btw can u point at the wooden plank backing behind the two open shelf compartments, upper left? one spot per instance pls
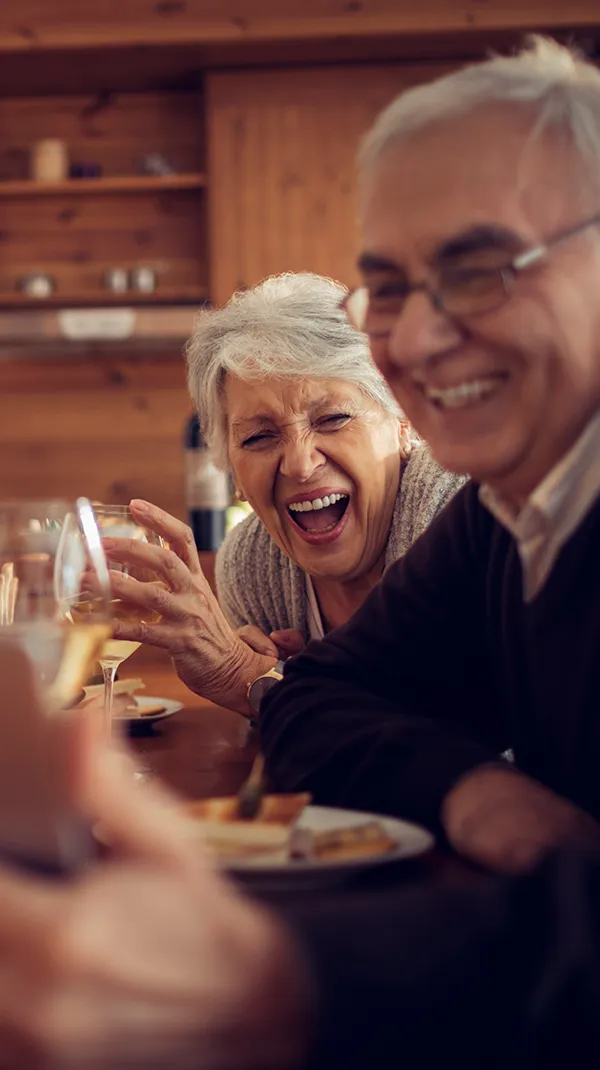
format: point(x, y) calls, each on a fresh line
point(78, 238)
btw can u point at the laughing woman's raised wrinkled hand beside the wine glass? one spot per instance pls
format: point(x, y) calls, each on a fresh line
point(189, 621)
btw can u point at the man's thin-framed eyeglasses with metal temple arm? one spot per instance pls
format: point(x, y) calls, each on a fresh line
point(461, 292)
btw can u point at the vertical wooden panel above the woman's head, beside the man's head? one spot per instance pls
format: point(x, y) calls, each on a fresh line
point(282, 167)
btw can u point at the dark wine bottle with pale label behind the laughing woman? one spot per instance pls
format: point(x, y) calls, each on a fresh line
point(207, 490)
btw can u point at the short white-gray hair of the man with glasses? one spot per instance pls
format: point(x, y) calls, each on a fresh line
point(562, 89)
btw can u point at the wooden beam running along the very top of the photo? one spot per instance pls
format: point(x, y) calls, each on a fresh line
point(72, 24)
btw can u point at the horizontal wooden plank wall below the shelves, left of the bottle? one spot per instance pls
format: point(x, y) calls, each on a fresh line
point(111, 430)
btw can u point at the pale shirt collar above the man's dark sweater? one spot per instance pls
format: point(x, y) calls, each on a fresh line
point(555, 510)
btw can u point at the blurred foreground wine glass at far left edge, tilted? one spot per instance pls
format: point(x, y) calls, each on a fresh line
point(55, 593)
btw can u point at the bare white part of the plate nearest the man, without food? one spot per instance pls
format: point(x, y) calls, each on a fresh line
point(411, 840)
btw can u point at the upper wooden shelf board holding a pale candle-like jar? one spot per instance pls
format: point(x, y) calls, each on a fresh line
point(115, 185)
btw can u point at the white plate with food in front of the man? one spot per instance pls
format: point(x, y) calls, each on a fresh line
point(294, 845)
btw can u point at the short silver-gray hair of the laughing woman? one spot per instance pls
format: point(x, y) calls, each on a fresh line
point(288, 327)
